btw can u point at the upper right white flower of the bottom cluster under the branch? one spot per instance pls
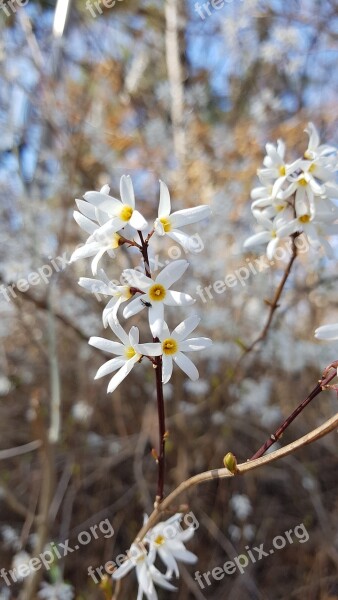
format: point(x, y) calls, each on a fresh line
point(167, 540)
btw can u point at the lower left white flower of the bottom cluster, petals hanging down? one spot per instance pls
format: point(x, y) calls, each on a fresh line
point(147, 574)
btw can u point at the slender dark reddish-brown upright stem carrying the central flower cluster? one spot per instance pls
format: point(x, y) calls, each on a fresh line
point(159, 391)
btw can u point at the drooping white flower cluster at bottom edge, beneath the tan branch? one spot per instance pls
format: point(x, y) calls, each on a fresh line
point(166, 542)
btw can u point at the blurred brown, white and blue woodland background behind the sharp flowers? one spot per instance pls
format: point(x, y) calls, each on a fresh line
point(78, 112)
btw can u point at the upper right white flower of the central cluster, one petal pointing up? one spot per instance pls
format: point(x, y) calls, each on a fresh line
point(170, 224)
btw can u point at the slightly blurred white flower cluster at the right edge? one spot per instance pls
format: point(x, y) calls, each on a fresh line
point(296, 197)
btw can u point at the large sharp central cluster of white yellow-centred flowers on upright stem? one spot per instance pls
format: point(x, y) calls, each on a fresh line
point(111, 223)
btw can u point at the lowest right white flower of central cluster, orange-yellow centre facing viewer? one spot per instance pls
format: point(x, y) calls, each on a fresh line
point(176, 343)
